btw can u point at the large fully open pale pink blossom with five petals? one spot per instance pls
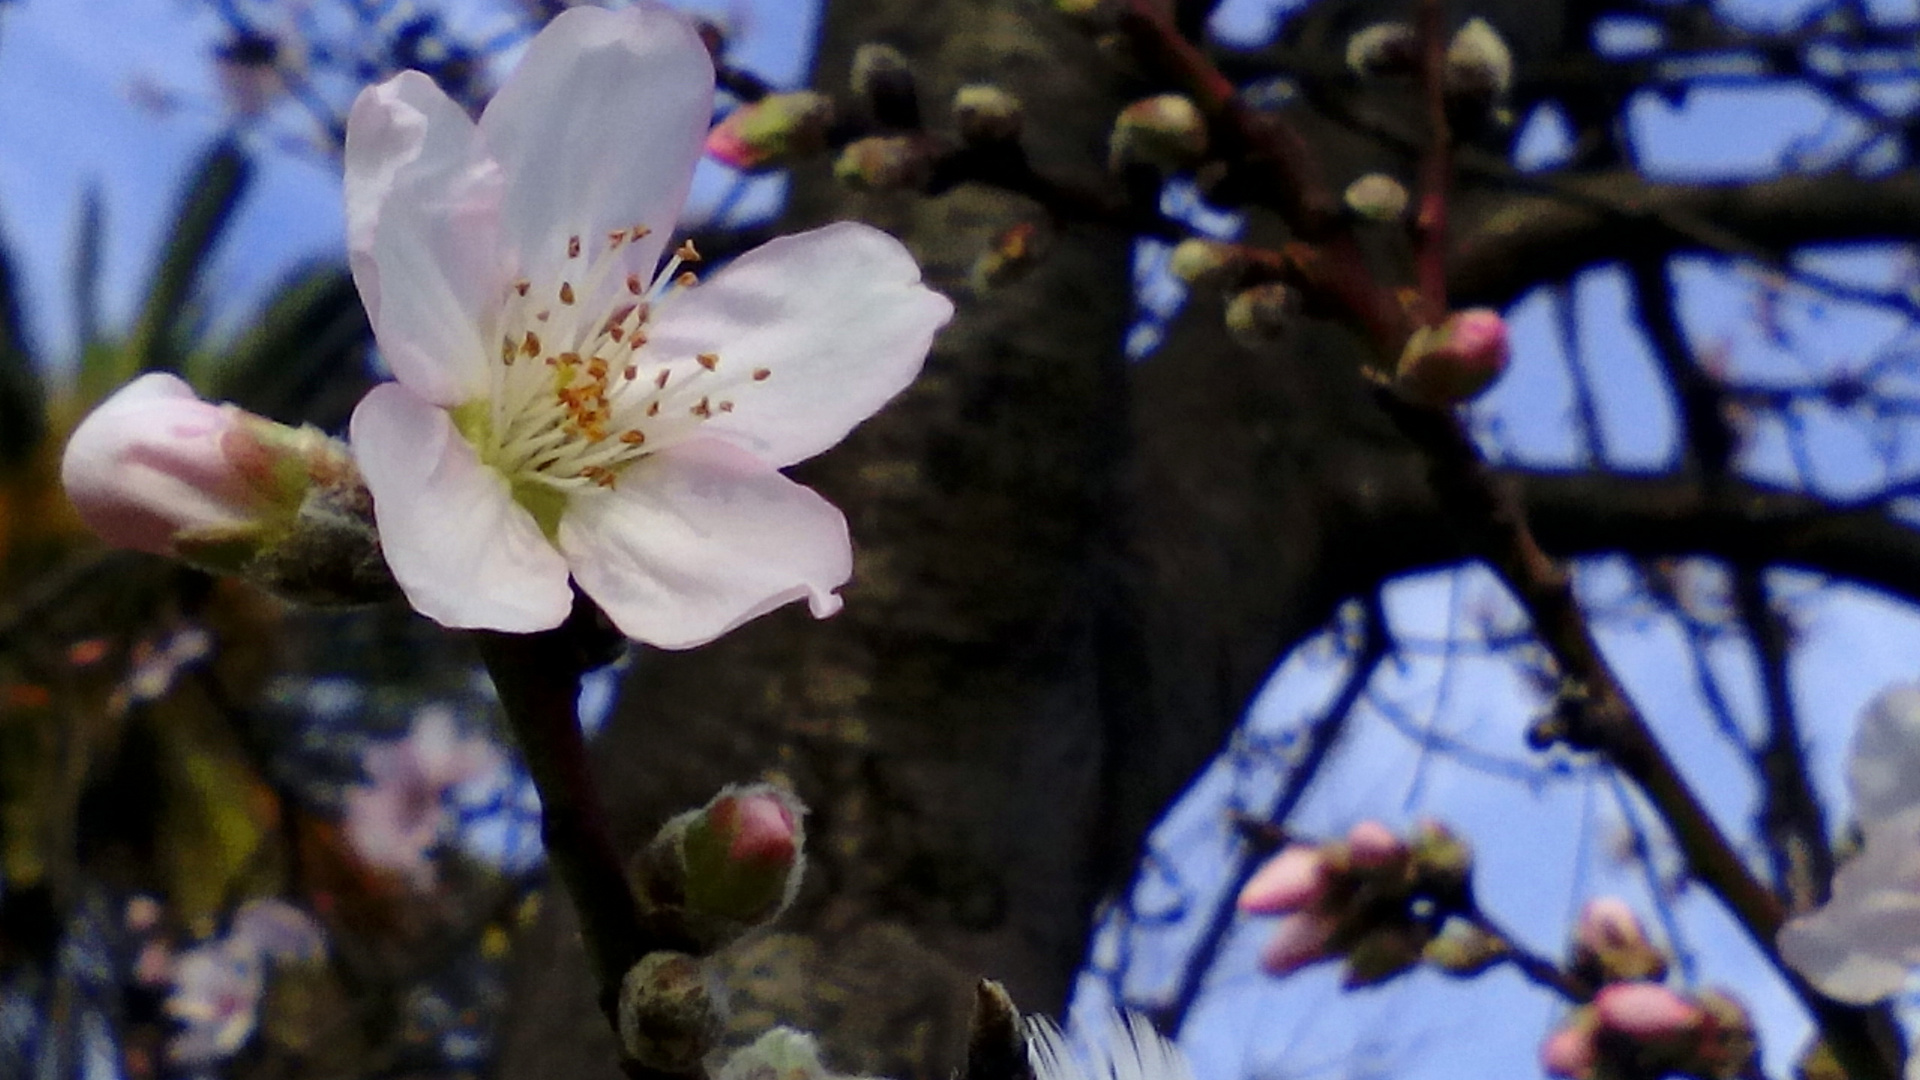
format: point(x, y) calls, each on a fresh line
point(562, 410)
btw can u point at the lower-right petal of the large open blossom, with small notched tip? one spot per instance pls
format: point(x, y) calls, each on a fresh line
point(700, 539)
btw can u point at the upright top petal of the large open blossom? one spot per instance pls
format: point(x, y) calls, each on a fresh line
point(598, 130)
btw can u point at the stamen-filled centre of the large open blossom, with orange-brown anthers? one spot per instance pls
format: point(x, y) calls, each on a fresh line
point(575, 393)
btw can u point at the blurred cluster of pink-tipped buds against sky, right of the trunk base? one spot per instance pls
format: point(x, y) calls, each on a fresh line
point(1372, 898)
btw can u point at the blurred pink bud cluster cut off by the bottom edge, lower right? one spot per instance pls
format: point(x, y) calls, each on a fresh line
point(1643, 1031)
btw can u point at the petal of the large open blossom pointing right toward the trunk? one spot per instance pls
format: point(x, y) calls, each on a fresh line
point(815, 333)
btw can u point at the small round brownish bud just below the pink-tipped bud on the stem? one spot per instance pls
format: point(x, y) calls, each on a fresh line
point(673, 1012)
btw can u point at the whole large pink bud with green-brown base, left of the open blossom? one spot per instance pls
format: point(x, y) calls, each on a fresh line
point(158, 470)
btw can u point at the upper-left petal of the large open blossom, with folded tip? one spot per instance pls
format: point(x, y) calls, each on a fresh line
point(423, 220)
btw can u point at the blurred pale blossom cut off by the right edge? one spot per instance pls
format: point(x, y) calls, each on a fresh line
point(1863, 945)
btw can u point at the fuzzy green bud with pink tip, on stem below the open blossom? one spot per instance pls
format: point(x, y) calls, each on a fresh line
point(713, 875)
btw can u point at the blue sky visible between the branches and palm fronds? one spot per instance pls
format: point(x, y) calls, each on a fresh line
point(120, 97)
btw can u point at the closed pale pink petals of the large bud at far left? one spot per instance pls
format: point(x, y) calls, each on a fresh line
point(153, 464)
